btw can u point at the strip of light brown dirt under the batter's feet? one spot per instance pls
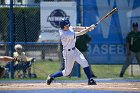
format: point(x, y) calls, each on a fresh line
point(117, 86)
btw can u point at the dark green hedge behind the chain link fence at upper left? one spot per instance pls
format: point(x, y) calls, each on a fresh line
point(26, 22)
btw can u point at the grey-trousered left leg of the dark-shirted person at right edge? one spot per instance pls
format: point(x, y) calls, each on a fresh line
point(127, 63)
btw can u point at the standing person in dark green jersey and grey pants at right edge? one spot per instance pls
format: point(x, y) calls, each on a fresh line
point(133, 47)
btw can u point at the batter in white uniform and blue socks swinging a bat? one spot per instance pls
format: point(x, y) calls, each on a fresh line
point(71, 53)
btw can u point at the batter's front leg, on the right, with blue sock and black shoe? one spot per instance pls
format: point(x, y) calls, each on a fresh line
point(83, 62)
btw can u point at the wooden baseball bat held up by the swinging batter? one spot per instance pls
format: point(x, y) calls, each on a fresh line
point(103, 18)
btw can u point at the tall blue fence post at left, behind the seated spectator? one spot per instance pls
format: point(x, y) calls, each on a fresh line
point(11, 40)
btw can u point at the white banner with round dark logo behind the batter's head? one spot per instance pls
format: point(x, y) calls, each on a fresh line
point(51, 13)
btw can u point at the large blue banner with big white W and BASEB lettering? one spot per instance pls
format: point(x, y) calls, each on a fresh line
point(109, 37)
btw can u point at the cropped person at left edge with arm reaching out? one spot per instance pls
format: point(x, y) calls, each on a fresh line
point(4, 59)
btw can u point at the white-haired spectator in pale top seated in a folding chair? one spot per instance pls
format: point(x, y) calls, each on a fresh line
point(22, 61)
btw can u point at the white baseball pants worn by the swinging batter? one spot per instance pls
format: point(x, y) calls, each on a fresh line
point(70, 57)
